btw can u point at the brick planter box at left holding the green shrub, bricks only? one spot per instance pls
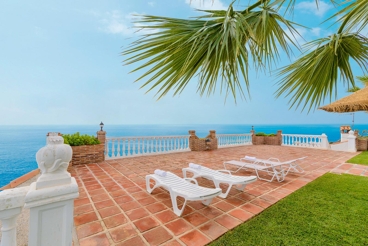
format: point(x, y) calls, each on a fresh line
point(87, 154)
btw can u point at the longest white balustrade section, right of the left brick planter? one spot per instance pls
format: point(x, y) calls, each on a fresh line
point(120, 147)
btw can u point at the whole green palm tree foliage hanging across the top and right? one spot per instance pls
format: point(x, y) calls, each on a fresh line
point(221, 46)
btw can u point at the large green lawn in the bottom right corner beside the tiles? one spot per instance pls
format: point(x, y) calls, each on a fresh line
point(331, 210)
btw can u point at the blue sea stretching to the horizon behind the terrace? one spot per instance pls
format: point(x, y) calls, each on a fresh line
point(19, 144)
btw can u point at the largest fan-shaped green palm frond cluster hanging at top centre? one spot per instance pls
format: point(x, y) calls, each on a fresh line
point(216, 46)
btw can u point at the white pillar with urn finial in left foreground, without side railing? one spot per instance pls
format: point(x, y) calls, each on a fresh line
point(51, 198)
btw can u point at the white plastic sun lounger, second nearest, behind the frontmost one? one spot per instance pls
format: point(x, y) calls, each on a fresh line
point(218, 177)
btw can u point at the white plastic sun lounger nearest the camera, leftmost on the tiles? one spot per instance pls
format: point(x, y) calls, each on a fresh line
point(182, 188)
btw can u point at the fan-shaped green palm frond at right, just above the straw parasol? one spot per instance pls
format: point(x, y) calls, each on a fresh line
point(314, 76)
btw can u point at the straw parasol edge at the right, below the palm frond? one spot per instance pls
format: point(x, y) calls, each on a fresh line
point(358, 101)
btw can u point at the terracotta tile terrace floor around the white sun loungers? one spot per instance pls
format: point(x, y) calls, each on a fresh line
point(115, 209)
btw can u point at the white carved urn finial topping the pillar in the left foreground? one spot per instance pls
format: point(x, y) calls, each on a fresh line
point(53, 161)
